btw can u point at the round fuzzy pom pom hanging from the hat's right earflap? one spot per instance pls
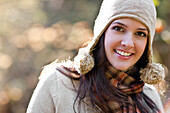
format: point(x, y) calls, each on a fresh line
point(153, 74)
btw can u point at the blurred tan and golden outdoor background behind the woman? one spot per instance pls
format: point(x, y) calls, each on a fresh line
point(34, 33)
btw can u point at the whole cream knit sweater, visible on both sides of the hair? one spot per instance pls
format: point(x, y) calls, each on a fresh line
point(55, 94)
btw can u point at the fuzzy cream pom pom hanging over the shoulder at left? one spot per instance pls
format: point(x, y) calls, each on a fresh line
point(83, 62)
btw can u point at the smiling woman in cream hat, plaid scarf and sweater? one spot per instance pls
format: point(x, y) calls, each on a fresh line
point(111, 74)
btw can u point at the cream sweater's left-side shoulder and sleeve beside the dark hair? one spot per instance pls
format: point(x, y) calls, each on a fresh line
point(53, 87)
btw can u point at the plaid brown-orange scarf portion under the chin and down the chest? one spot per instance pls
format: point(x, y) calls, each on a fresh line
point(125, 83)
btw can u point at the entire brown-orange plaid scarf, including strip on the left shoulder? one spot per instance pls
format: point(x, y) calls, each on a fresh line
point(123, 82)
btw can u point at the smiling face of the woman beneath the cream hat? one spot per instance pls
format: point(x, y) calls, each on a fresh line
point(125, 42)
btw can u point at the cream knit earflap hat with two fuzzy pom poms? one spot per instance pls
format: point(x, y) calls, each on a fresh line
point(141, 10)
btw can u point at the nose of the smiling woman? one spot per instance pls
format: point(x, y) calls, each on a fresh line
point(127, 41)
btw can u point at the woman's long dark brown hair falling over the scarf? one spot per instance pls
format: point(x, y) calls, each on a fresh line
point(96, 86)
